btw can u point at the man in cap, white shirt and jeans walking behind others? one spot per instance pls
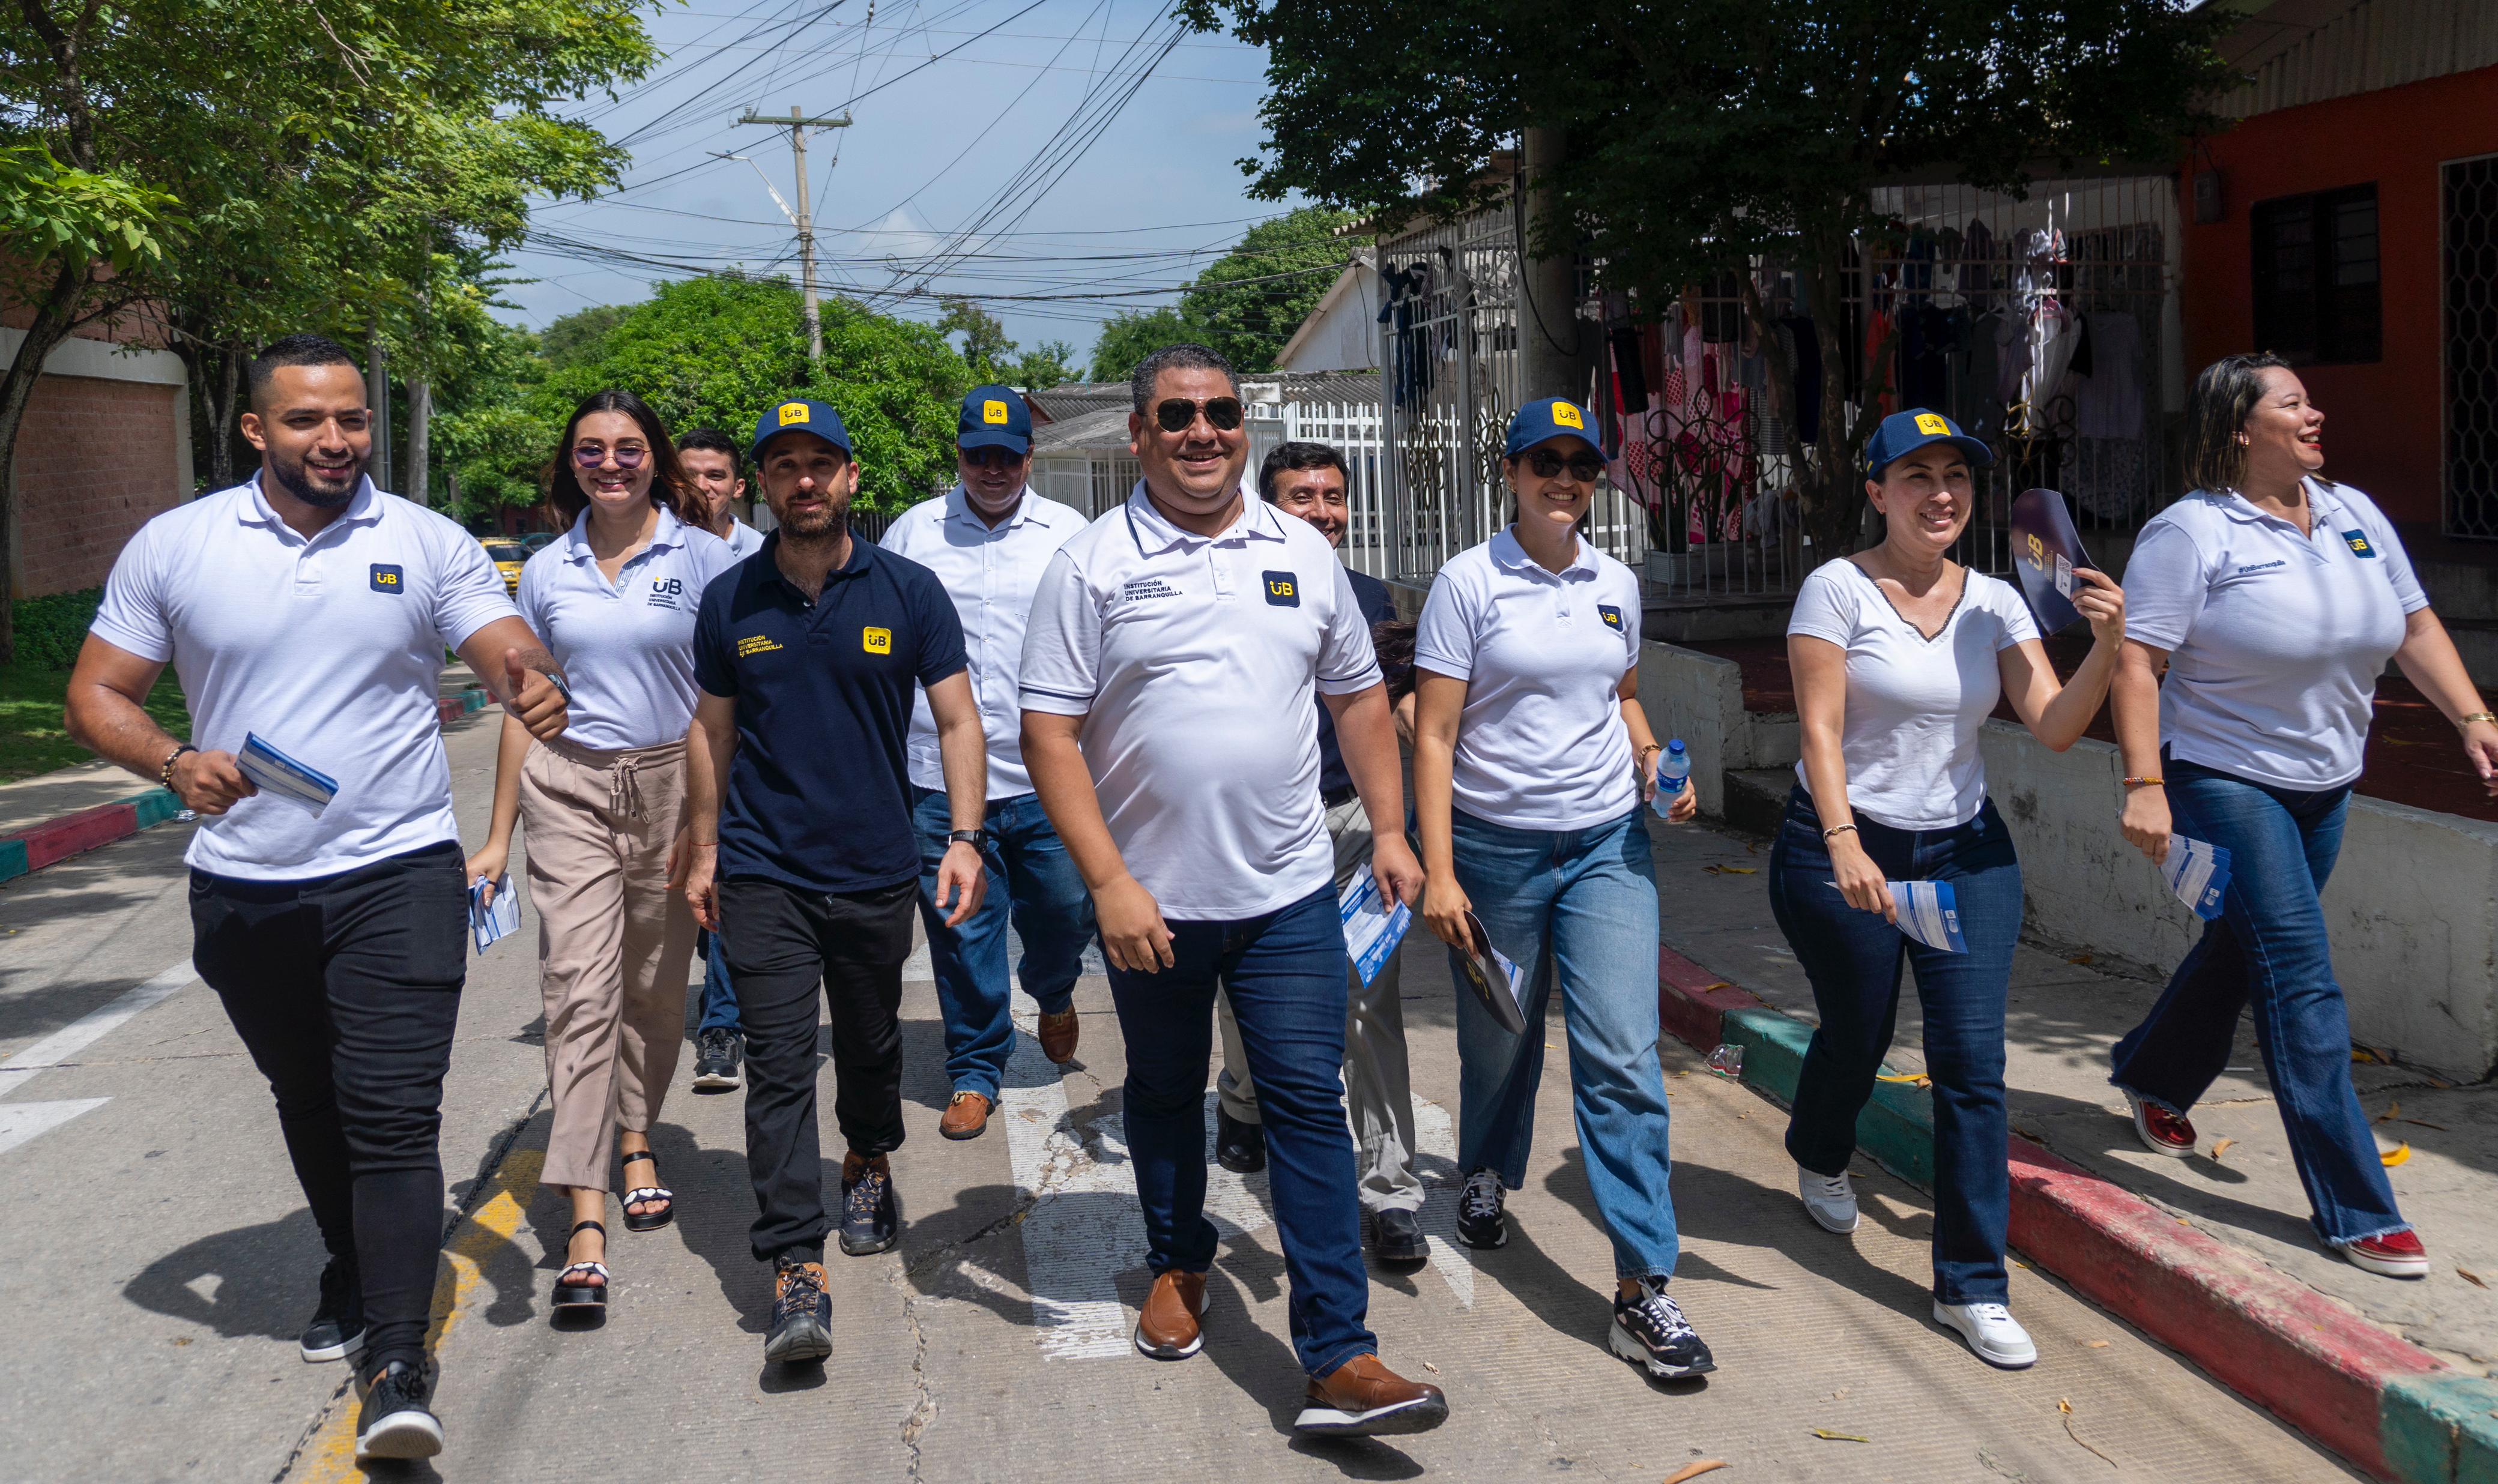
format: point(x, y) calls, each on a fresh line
point(988, 541)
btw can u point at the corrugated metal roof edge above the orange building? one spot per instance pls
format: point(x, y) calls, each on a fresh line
point(2309, 51)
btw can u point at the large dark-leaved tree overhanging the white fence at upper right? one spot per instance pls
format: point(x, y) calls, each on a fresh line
point(1700, 136)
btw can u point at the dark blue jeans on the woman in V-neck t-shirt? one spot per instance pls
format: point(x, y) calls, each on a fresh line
point(1852, 961)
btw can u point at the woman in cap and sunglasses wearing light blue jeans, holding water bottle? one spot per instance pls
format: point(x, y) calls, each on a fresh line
point(1533, 773)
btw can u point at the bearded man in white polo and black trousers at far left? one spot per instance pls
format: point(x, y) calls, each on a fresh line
point(309, 611)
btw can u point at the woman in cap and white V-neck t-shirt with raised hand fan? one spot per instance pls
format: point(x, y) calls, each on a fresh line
point(1900, 656)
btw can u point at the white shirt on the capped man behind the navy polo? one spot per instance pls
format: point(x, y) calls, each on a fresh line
point(990, 573)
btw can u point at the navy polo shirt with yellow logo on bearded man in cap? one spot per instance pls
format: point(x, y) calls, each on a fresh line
point(818, 791)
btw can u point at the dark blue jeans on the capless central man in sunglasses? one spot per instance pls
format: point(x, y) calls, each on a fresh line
point(1285, 978)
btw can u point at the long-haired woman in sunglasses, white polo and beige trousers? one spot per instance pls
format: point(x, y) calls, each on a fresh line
point(616, 601)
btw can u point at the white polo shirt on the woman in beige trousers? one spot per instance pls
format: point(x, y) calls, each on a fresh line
point(628, 648)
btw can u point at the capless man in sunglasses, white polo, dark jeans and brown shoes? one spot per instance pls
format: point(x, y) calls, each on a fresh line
point(1168, 691)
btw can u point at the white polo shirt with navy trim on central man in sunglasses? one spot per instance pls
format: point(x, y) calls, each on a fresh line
point(1195, 663)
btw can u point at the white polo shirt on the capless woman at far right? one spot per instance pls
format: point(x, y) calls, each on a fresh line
point(2274, 638)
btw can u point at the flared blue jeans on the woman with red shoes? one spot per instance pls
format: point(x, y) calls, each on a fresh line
point(2269, 948)
